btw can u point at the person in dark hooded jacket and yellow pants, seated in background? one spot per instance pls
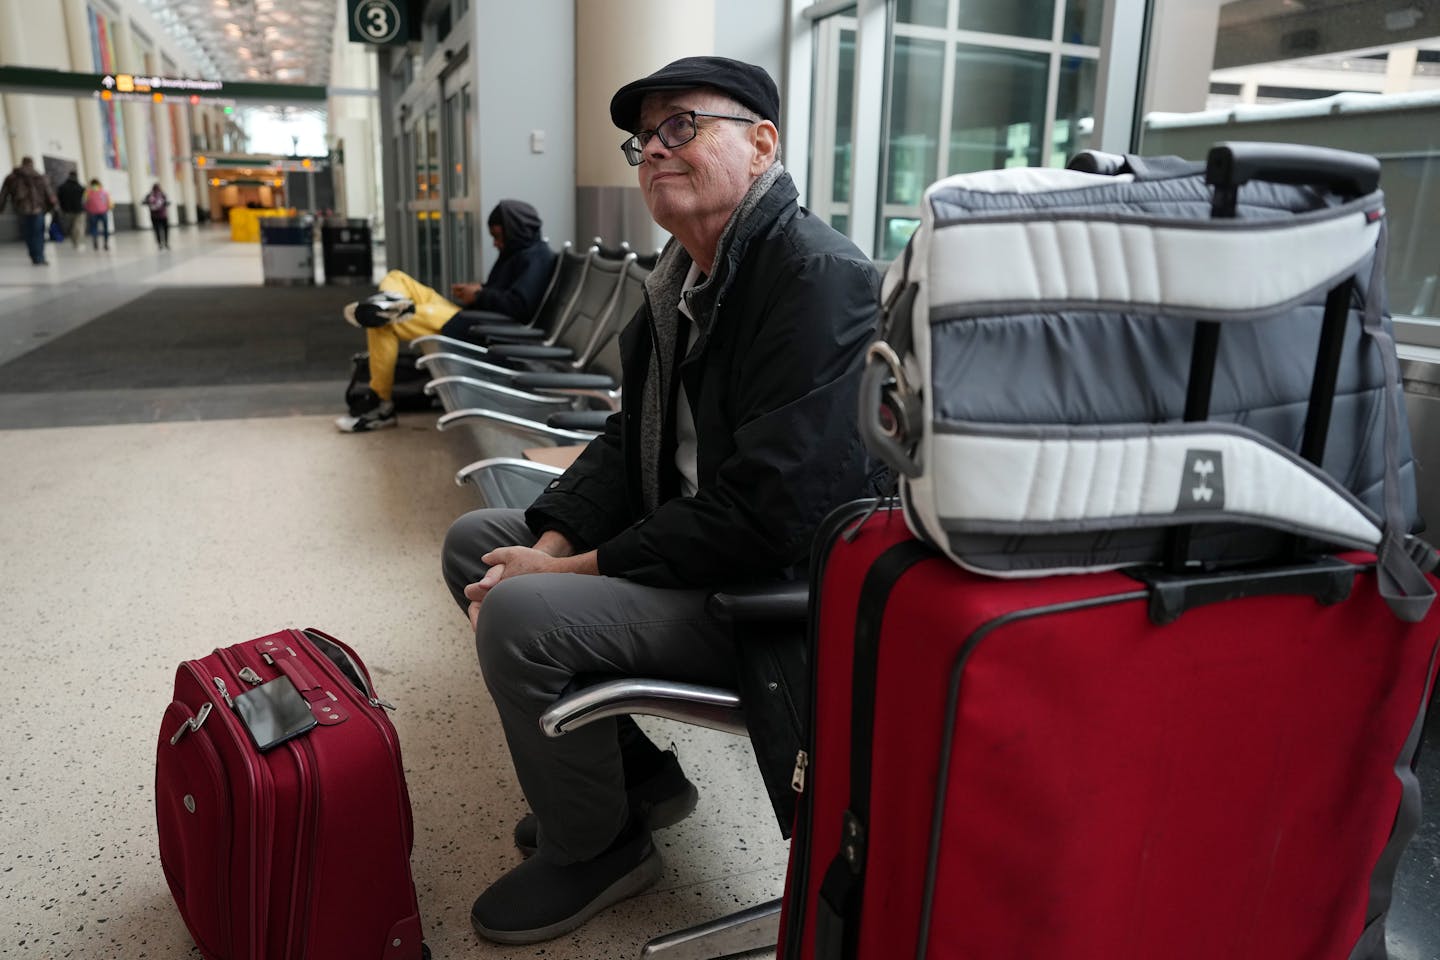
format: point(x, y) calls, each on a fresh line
point(405, 309)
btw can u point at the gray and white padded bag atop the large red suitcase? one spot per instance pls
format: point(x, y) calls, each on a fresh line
point(1146, 362)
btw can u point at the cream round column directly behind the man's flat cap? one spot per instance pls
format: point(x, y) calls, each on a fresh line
point(624, 41)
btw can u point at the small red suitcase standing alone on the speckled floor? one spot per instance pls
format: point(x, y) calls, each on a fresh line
point(302, 851)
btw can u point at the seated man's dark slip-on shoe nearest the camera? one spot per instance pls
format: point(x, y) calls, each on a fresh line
point(539, 900)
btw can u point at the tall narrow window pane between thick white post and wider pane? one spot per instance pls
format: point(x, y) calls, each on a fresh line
point(912, 148)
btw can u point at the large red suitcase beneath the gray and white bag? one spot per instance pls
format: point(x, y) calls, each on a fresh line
point(1010, 769)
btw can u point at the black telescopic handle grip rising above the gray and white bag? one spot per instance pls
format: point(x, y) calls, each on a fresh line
point(1235, 163)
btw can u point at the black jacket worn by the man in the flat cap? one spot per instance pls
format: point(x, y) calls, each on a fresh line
point(773, 384)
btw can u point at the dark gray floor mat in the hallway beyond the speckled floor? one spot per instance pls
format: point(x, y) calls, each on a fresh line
point(199, 336)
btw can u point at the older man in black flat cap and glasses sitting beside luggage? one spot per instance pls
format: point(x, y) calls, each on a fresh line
point(741, 379)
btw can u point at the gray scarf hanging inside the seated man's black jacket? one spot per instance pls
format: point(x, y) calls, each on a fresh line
point(665, 286)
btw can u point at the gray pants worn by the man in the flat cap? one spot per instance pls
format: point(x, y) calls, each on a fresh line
point(536, 634)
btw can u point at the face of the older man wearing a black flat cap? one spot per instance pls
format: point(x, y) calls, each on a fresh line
point(705, 178)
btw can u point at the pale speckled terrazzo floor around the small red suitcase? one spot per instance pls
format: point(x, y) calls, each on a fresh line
point(130, 548)
